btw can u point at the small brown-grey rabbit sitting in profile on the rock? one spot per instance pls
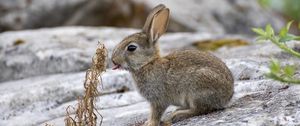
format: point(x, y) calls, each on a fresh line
point(197, 82)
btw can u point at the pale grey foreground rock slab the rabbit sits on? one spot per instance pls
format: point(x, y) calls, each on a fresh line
point(257, 100)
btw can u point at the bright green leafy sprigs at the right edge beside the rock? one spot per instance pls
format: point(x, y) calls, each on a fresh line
point(277, 72)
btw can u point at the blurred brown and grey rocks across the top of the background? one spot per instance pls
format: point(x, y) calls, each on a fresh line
point(234, 16)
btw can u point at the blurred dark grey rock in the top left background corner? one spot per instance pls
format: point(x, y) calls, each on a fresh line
point(24, 14)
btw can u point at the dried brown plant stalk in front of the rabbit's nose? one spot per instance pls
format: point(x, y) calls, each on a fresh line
point(86, 114)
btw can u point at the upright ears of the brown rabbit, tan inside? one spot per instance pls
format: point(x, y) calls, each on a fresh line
point(157, 23)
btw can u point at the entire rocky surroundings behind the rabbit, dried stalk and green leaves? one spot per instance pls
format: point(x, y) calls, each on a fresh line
point(47, 45)
